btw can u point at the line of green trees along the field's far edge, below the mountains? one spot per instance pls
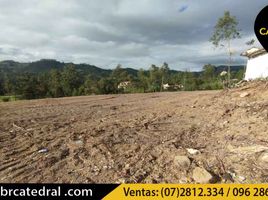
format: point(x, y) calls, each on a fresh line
point(71, 82)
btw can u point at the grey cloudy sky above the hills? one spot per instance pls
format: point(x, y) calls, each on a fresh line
point(134, 33)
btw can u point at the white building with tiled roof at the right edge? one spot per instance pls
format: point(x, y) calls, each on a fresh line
point(257, 66)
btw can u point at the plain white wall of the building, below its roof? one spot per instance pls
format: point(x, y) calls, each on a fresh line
point(257, 67)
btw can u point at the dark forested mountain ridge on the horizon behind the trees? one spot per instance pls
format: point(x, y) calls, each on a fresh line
point(45, 65)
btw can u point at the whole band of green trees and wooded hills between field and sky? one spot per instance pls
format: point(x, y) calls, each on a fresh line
point(35, 80)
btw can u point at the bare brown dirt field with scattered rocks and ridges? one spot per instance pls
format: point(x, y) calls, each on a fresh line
point(180, 137)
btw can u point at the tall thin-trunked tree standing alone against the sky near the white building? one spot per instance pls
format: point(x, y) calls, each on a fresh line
point(225, 31)
